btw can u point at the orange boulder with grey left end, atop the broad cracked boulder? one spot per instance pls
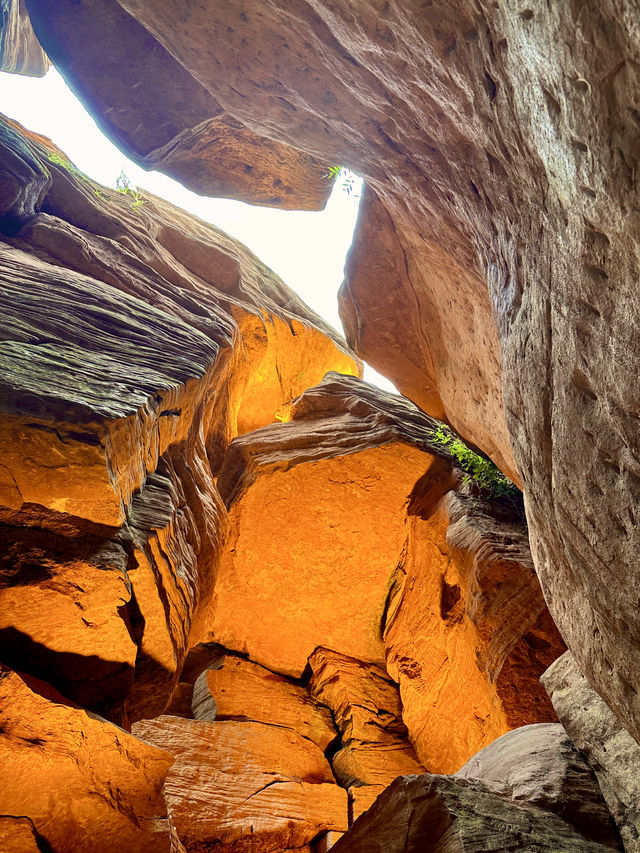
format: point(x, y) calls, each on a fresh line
point(242, 690)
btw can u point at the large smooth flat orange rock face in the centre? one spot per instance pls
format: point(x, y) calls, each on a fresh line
point(308, 545)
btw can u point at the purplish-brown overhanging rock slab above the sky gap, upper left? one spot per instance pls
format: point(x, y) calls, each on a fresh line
point(163, 117)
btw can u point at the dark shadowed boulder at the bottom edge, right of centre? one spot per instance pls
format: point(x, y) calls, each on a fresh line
point(450, 815)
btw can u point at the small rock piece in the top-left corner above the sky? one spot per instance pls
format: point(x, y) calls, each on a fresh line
point(20, 51)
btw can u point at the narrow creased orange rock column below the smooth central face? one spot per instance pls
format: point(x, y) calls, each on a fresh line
point(366, 706)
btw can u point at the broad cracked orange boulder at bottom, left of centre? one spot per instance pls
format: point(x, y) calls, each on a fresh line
point(245, 786)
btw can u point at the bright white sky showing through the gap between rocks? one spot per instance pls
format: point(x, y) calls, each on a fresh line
point(307, 250)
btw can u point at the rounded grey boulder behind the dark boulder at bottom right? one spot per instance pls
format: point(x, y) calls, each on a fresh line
point(539, 765)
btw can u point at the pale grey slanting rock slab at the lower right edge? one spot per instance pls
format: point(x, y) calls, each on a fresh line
point(610, 750)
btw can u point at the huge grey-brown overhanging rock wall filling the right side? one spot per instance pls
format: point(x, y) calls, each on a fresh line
point(499, 143)
